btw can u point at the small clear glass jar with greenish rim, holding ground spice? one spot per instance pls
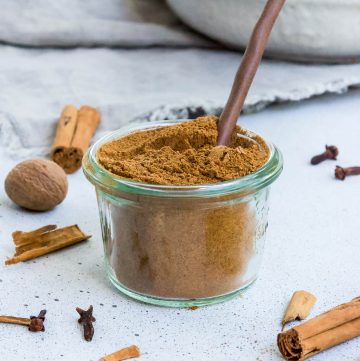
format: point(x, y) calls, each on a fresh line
point(181, 246)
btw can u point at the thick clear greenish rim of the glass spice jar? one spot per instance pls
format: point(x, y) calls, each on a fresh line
point(111, 183)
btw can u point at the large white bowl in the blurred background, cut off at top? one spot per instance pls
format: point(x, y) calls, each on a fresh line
point(307, 30)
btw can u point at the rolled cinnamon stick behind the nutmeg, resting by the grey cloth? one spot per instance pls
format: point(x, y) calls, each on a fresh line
point(74, 132)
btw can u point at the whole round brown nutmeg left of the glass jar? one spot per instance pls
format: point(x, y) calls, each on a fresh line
point(37, 184)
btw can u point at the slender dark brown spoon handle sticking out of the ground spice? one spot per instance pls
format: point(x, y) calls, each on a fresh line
point(248, 67)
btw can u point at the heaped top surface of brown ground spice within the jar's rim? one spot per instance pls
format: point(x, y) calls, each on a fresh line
point(184, 154)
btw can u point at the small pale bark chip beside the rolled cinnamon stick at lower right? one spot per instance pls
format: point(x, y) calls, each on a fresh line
point(299, 307)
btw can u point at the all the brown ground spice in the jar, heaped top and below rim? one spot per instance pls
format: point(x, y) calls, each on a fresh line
point(184, 248)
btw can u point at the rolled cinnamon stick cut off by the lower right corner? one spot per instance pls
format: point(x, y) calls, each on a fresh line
point(331, 328)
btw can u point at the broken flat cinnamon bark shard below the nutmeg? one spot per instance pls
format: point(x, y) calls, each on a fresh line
point(44, 240)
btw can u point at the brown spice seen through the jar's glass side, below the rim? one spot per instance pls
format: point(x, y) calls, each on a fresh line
point(184, 248)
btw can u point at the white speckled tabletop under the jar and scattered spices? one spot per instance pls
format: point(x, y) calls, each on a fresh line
point(312, 243)
